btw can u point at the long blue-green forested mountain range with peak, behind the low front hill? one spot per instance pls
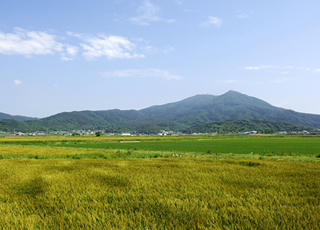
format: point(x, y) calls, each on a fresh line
point(177, 116)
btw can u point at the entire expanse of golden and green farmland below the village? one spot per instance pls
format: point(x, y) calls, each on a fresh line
point(115, 183)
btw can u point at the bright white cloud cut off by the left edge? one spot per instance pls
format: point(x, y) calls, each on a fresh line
point(28, 43)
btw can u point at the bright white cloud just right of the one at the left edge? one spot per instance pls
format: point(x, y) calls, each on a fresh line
point(109, 46)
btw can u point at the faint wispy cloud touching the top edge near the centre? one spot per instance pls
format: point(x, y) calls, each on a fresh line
point(148, 12)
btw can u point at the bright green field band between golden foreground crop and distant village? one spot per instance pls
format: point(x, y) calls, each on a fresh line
point(237, 145)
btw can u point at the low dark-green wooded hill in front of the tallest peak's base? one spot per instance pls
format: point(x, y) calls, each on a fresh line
point(246, 125)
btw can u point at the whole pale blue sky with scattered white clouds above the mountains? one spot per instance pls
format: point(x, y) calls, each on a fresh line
point(58, 55)
